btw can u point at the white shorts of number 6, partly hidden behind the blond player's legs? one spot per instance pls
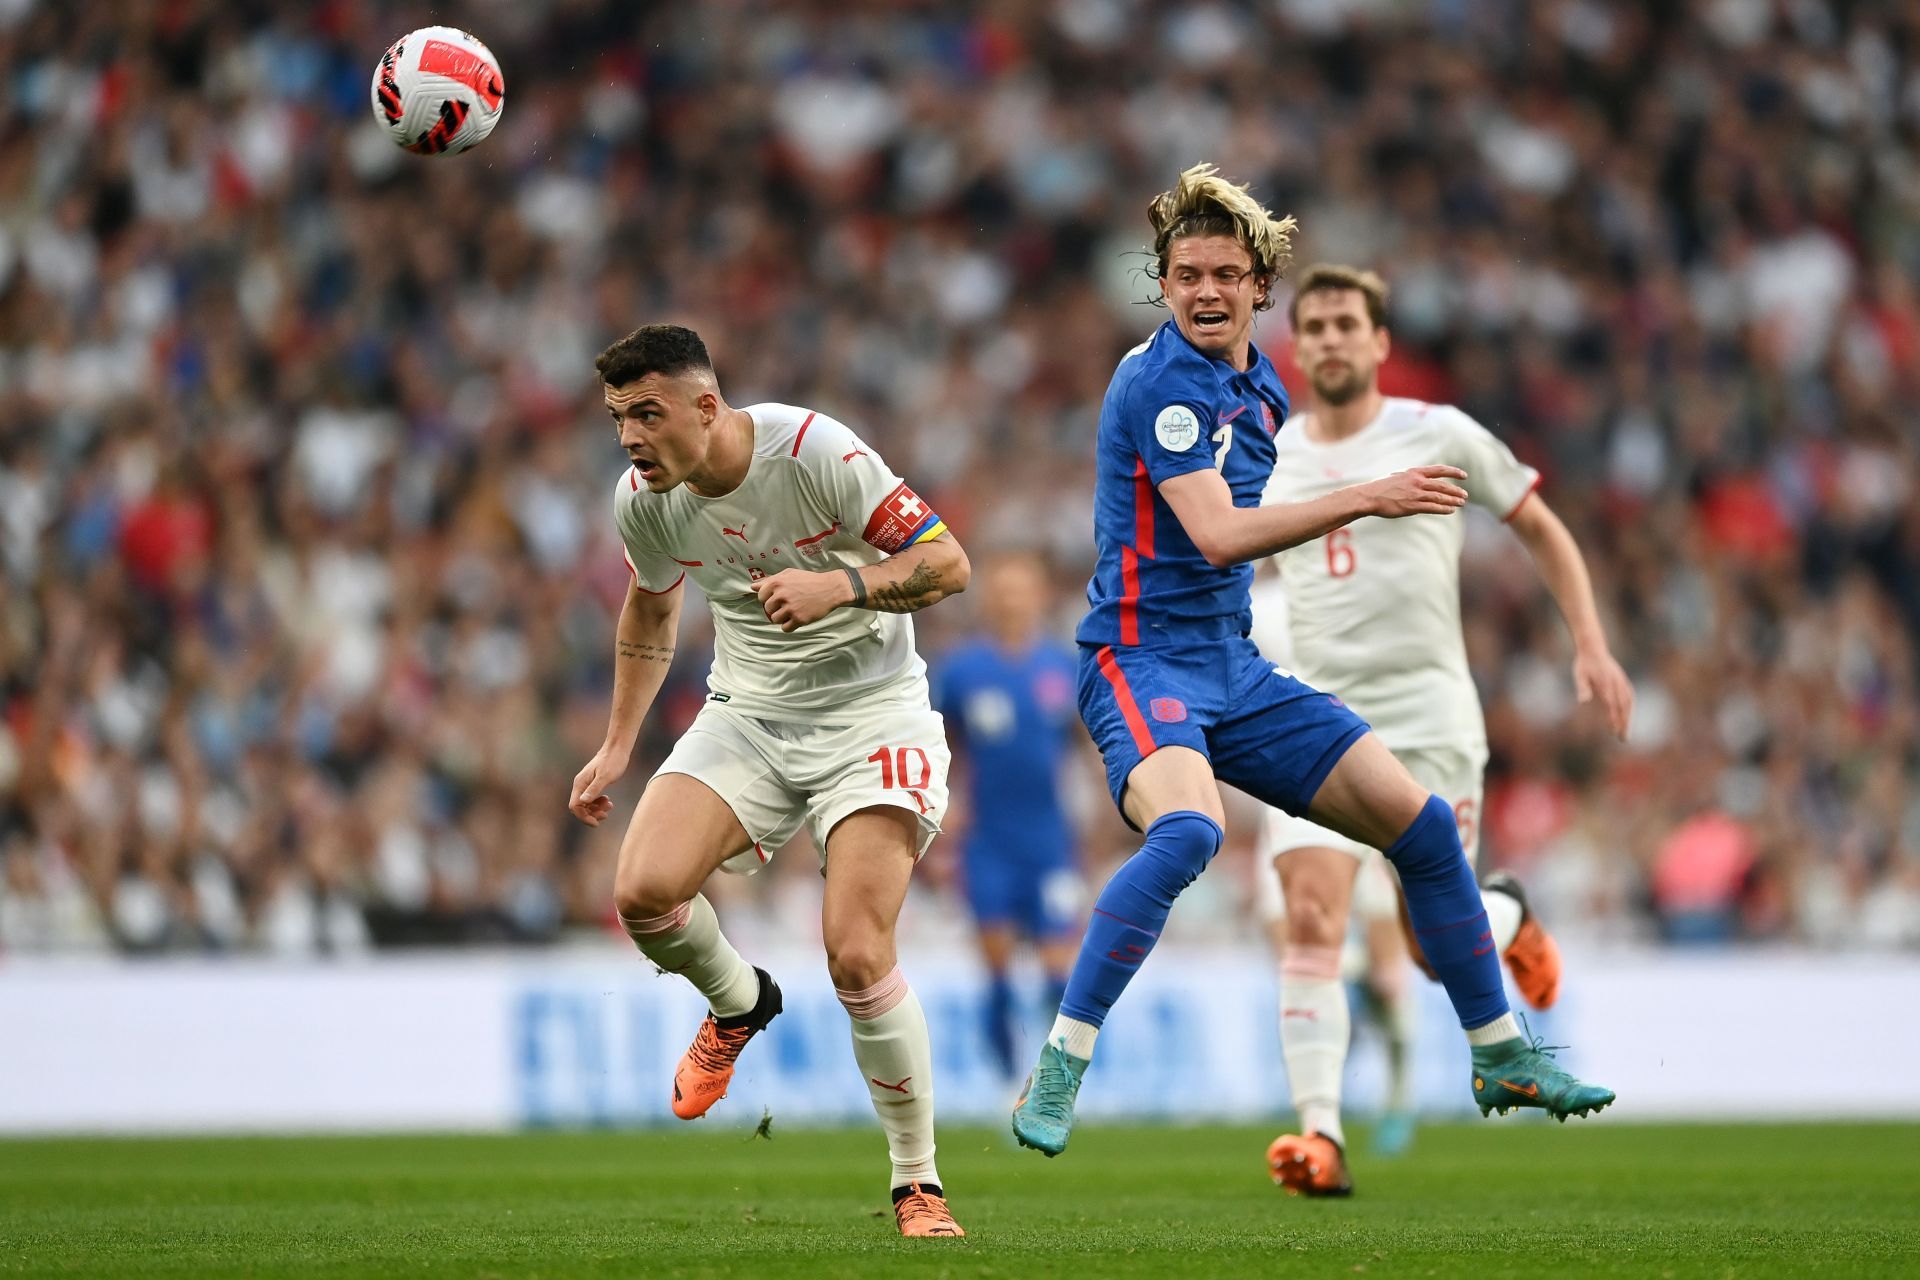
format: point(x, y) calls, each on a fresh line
point(1454, 774)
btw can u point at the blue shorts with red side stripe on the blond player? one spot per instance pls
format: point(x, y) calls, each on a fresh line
point(1264, 732)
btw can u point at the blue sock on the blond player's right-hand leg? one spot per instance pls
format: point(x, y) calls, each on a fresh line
point(1449, 916)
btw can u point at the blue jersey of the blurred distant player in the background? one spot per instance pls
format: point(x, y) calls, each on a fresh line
point(1015, 717)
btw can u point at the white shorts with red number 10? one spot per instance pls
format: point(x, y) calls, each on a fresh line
point(779, 774)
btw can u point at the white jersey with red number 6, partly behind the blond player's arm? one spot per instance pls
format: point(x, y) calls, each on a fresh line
point(1376, 605)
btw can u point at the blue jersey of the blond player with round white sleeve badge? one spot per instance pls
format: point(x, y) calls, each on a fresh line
point(1170, 412)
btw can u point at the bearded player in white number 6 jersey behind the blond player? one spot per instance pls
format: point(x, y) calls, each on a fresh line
point(1374, 617)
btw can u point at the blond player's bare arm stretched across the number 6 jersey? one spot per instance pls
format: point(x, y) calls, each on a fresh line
point(1228, 534)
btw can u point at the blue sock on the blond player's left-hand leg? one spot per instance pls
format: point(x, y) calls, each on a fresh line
point(1134, 909)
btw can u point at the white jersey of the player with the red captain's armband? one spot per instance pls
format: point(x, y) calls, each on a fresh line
point(815, 498)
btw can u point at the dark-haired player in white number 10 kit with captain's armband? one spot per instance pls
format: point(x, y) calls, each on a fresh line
point(809, 552)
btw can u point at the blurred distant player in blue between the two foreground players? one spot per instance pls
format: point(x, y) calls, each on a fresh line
point(1007, 698)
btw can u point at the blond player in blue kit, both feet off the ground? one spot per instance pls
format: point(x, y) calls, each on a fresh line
point(1178, 698)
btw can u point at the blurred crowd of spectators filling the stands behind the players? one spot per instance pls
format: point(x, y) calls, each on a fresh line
point(308, 571)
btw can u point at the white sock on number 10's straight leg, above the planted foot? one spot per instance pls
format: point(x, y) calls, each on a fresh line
point(890, 1041)
